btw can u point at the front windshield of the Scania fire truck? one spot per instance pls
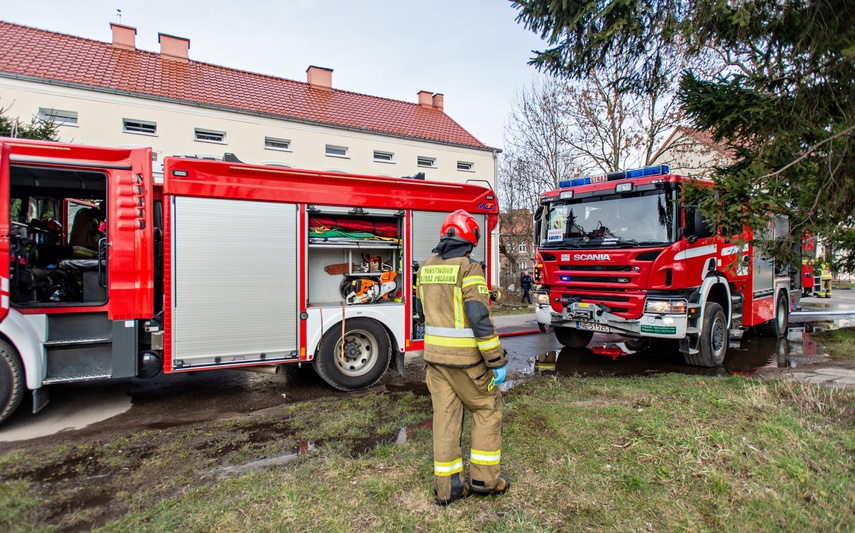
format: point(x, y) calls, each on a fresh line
point(633, 219)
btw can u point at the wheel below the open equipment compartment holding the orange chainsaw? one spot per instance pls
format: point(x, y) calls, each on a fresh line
point(366, 355)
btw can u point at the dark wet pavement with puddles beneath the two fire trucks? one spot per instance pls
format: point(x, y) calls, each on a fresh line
point(78, 410)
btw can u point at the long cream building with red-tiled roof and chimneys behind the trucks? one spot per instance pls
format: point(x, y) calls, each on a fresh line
point(113, 94)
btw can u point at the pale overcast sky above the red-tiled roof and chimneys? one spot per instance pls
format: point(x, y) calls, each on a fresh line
point(472, 51)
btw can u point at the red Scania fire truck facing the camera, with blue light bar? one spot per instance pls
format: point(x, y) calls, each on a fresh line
point(622, 253)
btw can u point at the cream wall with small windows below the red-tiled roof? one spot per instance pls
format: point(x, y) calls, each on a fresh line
point(100, 123)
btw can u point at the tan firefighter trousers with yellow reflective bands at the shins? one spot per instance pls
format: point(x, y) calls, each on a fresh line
point(451, 389)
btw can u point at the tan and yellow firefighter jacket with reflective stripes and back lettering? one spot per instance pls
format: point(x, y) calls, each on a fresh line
point(459, 330)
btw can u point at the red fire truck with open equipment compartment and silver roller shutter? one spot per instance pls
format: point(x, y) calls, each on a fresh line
point(222, 265)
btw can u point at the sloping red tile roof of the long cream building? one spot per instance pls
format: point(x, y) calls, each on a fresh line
point(54, 57)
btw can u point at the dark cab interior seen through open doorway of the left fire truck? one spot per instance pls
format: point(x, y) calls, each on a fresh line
point(57, 241)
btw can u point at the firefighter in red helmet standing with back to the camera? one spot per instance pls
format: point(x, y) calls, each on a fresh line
point(465, 363)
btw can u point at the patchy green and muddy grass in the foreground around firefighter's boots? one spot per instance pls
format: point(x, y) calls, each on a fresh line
point(660, 453)
